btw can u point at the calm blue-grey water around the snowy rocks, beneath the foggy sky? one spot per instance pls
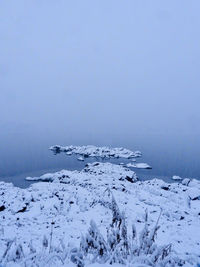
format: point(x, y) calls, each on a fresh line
point(21, 156)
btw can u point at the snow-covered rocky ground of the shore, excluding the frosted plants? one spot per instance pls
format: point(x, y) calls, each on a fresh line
point(59, 211)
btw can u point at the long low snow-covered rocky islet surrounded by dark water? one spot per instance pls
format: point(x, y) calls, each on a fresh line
point(94, 151)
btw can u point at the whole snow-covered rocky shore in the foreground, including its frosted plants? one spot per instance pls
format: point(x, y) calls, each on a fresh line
point(47, 223)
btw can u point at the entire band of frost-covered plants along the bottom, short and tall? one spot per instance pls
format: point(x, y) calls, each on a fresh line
point(117, 247)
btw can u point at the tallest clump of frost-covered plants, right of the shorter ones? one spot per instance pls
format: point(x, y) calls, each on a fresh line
point(122, 247)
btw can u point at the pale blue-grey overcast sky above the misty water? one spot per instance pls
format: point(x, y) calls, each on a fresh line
point(100, 67)
